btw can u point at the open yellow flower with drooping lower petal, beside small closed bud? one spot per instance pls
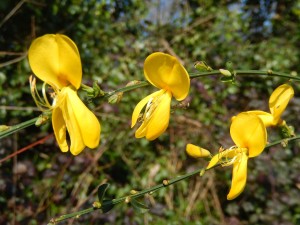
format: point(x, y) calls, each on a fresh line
point(250, 137)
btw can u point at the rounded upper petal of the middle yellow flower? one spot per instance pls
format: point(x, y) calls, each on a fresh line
point(165, 72)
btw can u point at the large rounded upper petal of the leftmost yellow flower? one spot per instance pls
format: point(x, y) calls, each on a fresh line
point(55, 60)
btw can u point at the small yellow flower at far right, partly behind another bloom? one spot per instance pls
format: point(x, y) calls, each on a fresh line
point(278, 101)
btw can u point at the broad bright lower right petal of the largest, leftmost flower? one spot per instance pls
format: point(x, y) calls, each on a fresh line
point(88, 126)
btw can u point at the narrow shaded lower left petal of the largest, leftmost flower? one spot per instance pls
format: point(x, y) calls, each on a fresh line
point(60, 129)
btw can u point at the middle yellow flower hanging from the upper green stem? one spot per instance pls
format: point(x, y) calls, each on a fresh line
point(166, 73)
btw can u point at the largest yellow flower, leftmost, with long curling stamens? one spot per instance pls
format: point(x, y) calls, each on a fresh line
point(55, 59)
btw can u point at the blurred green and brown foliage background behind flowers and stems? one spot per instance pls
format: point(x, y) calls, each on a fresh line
point(114, 38)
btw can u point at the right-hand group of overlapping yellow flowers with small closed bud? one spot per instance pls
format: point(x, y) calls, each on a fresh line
point(248, 132)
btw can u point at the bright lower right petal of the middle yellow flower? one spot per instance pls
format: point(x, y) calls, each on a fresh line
point(158, 121)
